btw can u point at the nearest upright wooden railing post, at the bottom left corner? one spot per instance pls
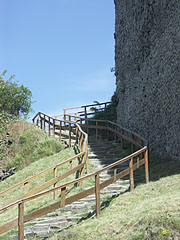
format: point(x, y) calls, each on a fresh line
point(21, 221)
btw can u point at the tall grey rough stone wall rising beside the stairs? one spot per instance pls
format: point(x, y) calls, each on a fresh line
point(147, 58)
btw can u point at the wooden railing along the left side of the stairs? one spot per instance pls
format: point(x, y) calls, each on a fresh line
point(81, 137)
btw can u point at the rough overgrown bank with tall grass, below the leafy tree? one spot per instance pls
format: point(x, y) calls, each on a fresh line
point(24, 143)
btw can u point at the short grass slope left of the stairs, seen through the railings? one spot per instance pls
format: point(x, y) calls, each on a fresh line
point(43, 201)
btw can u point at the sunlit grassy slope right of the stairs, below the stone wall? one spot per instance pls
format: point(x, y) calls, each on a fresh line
point(150, 212)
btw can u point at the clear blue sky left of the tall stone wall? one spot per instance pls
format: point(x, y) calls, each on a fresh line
point(62, 50)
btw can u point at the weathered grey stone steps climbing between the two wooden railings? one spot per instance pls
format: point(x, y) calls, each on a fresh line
point(101, 153)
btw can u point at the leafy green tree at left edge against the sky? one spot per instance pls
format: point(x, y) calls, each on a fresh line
point(14, 100)
